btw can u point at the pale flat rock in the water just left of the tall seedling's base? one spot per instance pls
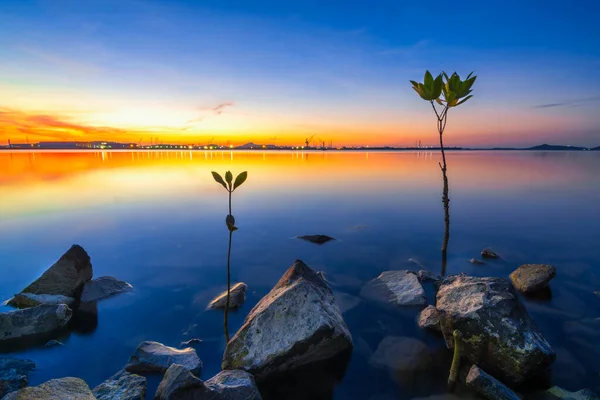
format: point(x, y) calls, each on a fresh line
point(400, 288)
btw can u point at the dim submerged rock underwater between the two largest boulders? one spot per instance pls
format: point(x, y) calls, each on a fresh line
point(401, 355)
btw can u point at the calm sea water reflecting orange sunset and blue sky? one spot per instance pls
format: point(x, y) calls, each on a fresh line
point(156, 220)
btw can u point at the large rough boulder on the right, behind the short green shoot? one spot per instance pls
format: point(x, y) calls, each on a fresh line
point(498, 334)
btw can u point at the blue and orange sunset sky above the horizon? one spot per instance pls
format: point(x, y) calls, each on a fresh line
point(272, 71)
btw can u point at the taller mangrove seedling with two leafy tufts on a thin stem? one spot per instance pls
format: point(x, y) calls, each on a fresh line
point(448, 92)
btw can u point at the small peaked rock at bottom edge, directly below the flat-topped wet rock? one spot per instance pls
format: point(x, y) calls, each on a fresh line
point(179, 384)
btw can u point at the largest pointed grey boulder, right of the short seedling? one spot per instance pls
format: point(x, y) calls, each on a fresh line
point(295, 324)
